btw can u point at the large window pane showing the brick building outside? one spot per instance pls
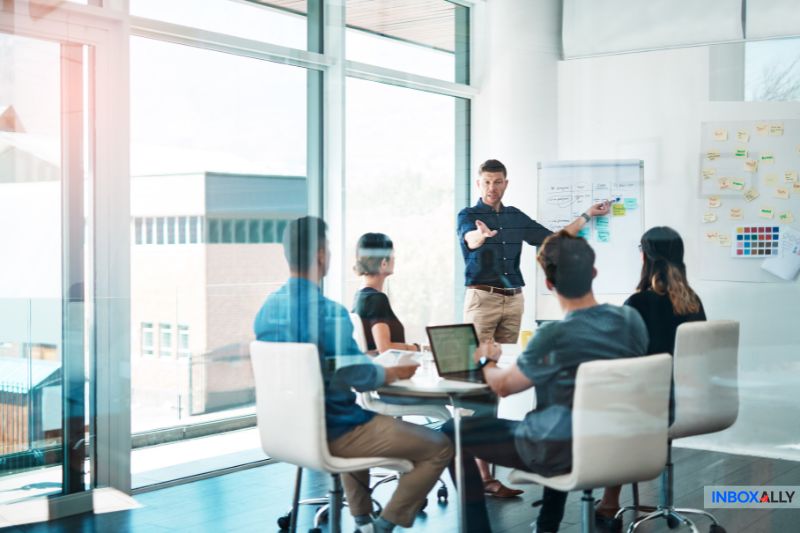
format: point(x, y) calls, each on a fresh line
point(217, 149)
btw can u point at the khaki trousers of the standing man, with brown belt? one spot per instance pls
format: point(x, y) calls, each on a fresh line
point(495, 316)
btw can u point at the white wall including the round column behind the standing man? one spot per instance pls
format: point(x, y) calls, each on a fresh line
point(649, 106)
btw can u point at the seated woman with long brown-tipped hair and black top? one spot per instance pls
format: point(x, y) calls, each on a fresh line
point(665, 300)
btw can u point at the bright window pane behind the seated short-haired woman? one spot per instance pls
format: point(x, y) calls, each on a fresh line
point(401, 145)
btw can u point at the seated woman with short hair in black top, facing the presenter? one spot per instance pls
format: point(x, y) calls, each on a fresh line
point(384, 331)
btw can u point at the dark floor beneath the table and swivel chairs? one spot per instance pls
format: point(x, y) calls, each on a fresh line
point(251, 500)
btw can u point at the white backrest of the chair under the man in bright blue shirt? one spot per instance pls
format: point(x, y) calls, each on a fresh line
point(290, 402)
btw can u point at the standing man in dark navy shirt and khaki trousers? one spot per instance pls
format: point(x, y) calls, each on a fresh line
point(491, 236)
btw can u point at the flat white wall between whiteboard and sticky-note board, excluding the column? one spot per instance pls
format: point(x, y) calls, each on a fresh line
point(649, 106)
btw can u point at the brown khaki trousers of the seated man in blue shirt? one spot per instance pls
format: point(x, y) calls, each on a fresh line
point(383, 436)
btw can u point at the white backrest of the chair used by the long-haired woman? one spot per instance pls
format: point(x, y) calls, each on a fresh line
point(705, 374)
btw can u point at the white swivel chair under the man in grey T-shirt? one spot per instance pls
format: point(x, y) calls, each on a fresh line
point(619, 428)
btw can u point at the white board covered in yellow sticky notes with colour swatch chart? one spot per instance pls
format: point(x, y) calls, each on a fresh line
point(748, 180)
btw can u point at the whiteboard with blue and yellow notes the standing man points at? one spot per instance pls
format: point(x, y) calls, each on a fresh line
point(567, 189)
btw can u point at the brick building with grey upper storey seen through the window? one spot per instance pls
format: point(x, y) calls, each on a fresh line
point(205, 253)
